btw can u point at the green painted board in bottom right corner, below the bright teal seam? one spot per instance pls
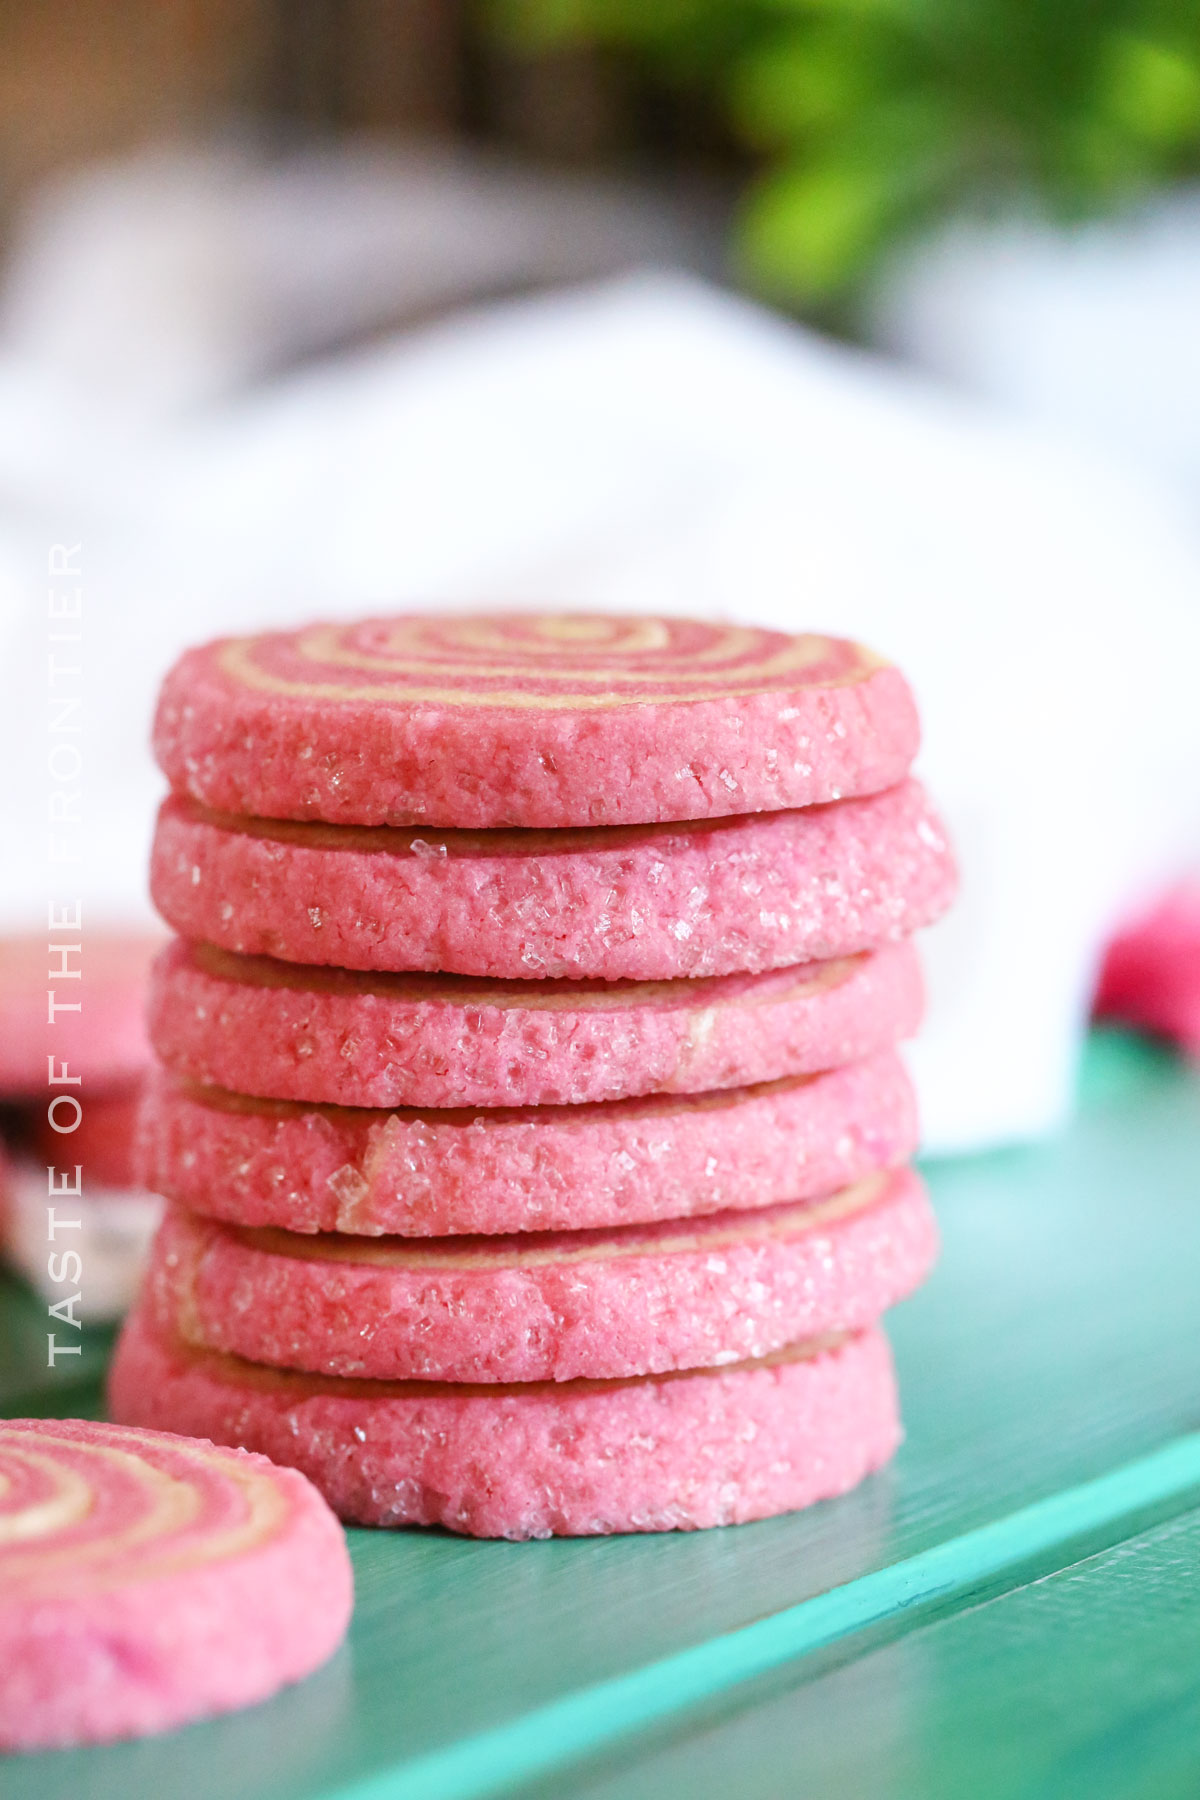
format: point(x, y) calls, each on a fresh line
point(1077, 1686)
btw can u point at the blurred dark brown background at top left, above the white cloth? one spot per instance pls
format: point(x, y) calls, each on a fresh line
point(80, 78)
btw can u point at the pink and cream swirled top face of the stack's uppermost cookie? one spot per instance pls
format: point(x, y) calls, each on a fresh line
point(539, 661)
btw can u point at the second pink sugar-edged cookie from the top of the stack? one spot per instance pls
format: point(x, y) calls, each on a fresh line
point(618, 904)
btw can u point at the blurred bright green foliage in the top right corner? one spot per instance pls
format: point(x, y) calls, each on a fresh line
point(870, 120)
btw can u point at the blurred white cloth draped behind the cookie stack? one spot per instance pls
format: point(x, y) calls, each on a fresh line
point(656, 444)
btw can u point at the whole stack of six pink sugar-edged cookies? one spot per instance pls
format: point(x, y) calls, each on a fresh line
point(530, 1102)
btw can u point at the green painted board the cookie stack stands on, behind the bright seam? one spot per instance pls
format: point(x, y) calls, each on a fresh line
point(1057, 1342)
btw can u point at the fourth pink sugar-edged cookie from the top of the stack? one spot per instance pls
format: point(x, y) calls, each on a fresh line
point(535, 1169)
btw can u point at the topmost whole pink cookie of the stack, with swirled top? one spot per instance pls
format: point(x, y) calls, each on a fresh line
point(530, 721)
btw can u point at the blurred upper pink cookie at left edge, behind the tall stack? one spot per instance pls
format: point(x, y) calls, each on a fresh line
point(105, 1041)
